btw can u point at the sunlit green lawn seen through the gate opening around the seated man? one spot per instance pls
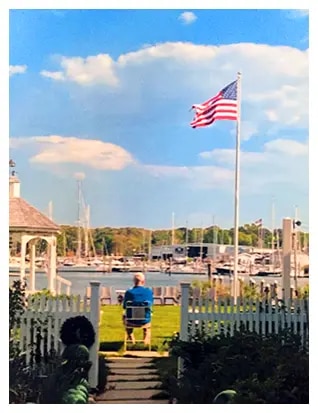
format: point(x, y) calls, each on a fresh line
point(165, 322)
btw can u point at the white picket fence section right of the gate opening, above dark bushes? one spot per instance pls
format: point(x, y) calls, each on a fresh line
point(213, 316)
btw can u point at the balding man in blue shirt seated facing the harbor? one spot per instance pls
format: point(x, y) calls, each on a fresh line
point(139, 295)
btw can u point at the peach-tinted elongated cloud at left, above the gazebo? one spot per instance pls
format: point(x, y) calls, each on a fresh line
point(93, 153)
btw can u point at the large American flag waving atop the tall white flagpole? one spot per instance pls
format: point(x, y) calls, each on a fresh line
point(223, 106)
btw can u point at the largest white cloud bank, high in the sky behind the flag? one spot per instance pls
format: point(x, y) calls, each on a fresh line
point(274, 82)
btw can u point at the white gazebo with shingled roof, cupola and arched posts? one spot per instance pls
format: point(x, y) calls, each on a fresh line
point(27, 226)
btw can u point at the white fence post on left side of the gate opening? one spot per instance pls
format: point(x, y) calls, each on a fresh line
point(94, 318)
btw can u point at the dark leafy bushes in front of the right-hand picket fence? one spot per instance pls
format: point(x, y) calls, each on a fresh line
point(260, 369)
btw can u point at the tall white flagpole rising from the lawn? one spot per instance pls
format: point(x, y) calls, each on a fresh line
point(237, 187)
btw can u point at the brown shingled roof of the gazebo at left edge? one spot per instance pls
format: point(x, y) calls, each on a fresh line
point(22, 215)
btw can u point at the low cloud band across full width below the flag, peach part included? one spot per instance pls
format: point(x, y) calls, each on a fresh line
point(282, 161)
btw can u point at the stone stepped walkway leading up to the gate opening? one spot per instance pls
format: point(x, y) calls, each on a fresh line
point(132, 380)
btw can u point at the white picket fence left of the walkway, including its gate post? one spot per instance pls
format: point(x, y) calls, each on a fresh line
point(45, 315)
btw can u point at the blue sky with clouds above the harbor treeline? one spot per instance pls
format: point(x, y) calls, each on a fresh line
point(107, 94)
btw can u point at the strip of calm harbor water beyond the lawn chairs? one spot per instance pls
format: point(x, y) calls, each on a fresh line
point(123, 281)
